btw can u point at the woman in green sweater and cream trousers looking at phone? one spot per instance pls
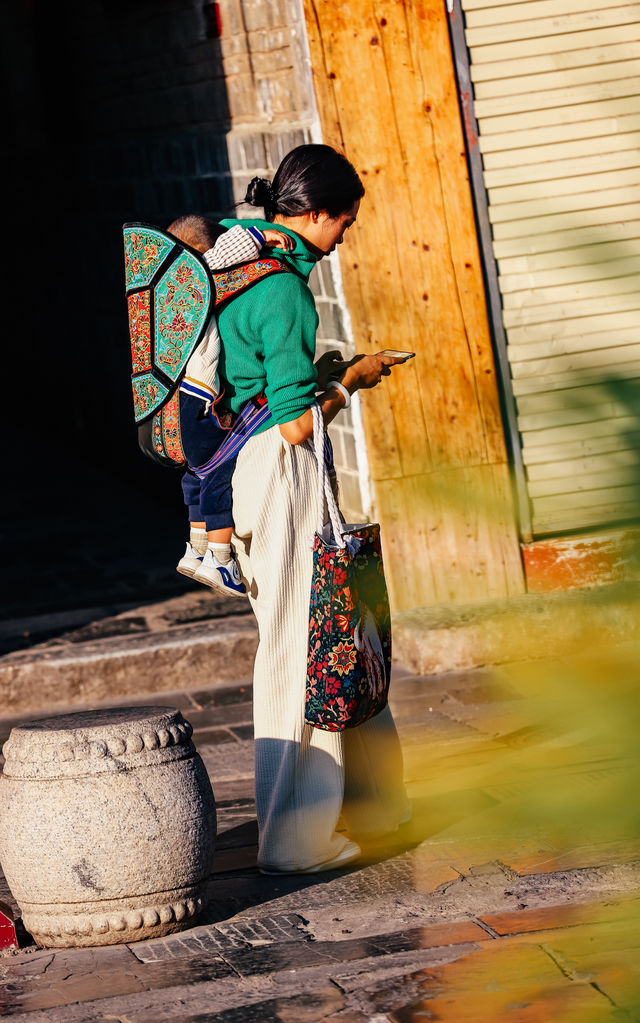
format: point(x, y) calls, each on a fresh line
point(305, 778)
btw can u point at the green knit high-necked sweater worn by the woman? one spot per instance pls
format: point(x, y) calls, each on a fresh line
point(269, 337)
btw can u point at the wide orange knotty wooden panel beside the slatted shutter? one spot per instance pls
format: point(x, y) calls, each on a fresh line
point(387, 95)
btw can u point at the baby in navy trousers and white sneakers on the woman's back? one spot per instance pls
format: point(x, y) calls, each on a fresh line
point(209, 558)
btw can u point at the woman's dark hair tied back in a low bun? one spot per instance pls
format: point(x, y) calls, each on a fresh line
point(310, 177)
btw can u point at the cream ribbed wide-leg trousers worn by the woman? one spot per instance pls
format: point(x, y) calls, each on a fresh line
point(306, 778)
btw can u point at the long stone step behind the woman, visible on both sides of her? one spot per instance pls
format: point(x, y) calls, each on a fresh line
point(199, 642)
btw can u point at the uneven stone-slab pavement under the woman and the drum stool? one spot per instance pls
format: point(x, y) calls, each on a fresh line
point(493, 905)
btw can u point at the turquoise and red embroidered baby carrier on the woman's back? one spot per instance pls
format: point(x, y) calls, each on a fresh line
point(171, 294)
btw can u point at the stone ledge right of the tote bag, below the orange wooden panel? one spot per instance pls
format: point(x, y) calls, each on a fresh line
point(429, 641)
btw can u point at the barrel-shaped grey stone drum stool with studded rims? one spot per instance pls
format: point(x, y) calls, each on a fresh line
point(108, 826)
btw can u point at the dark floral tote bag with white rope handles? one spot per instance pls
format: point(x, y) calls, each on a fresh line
point(350, 639)
